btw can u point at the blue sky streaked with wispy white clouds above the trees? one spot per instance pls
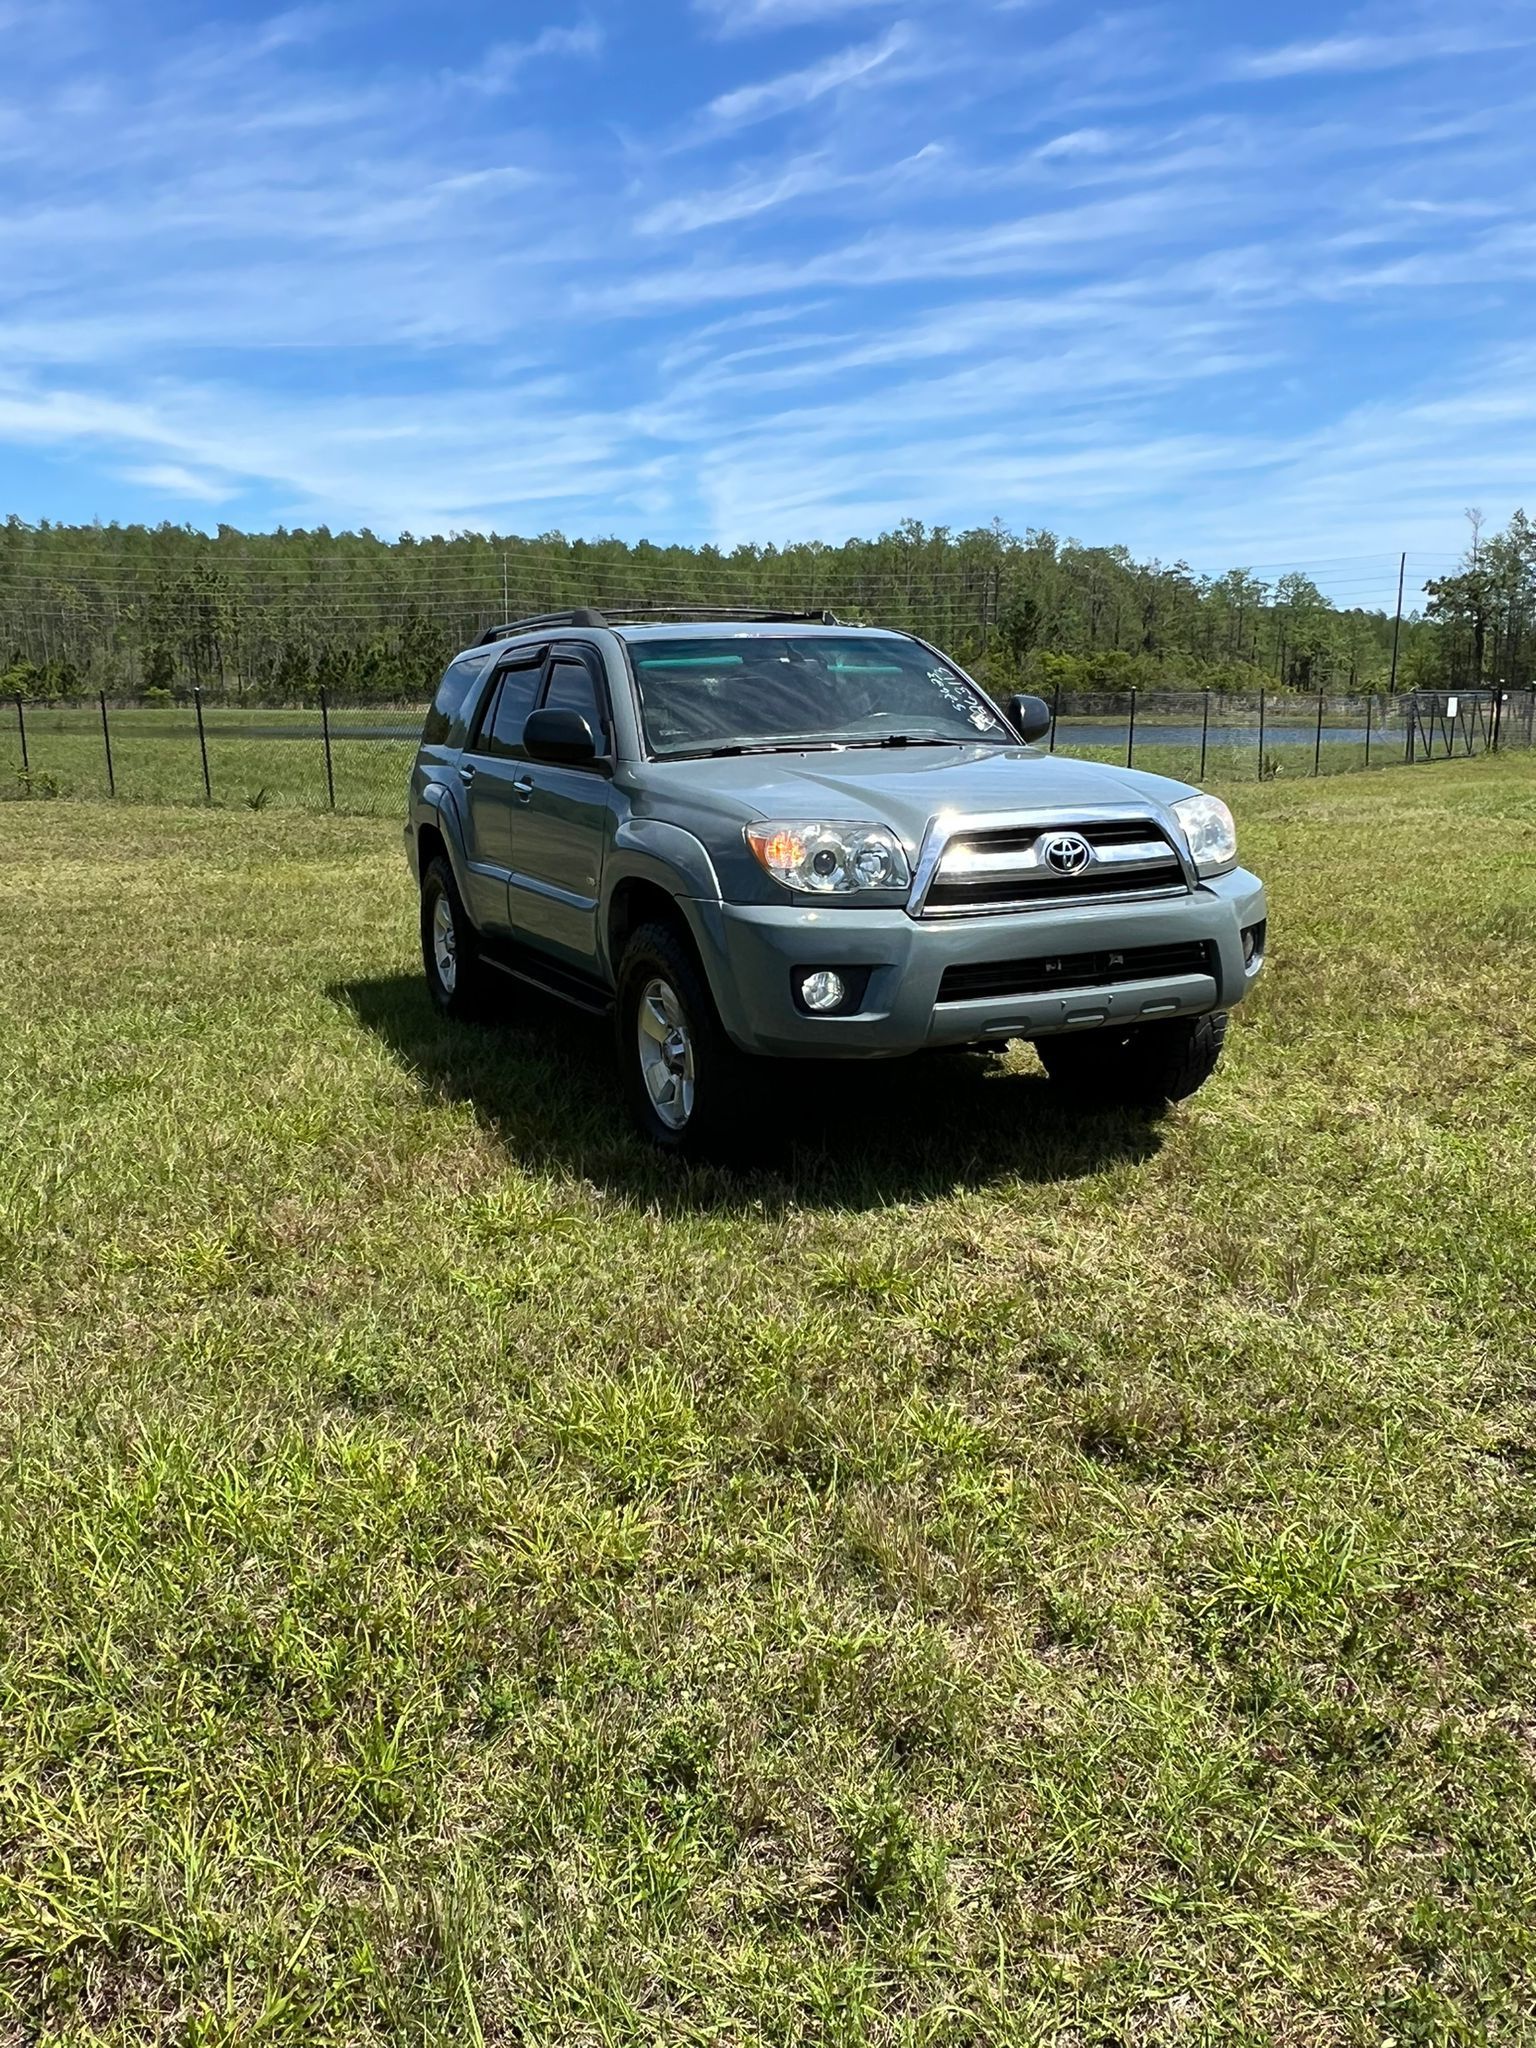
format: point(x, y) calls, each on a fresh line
point(1226, 284)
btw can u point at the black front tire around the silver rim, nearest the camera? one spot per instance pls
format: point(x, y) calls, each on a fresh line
point(710, 1115)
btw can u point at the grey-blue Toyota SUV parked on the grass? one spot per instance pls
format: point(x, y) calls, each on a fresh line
point(787, 837)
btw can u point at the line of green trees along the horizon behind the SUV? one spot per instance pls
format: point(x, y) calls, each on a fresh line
point(159, 611)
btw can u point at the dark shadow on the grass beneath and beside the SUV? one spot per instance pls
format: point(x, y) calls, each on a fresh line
point(841, 1136)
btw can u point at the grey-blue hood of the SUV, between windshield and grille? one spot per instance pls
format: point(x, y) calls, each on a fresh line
point(906, 787)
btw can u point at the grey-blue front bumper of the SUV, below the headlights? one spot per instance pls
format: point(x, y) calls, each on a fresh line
point(755, 951)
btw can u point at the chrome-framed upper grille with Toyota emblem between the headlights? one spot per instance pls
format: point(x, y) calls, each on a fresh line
point(1002, 869)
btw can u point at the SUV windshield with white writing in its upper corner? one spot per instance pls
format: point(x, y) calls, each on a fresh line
point(753, 691)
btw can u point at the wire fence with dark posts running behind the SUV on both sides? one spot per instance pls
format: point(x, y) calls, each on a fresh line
point(357, 757)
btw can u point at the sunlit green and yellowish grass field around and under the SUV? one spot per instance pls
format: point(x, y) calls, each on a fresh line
point(984, 1578)
